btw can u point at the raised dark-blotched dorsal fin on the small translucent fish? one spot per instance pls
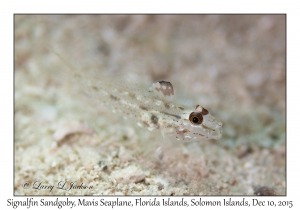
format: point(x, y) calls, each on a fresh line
point(162, 90)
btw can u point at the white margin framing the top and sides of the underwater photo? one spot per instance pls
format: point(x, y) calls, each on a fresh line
point(8, 8)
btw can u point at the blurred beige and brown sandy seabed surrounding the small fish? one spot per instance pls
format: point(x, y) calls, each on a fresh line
point(233, 65)
